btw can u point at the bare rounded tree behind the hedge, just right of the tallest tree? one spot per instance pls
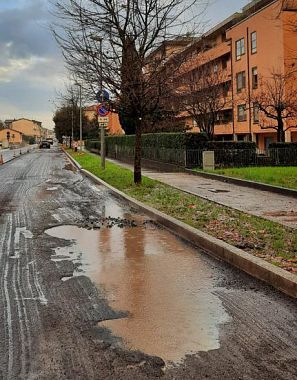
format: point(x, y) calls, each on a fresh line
point(203, 95)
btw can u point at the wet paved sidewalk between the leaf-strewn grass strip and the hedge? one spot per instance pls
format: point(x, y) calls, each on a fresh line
point(272, 206)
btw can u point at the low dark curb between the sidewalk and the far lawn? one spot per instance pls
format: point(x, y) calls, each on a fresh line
point(246, 183)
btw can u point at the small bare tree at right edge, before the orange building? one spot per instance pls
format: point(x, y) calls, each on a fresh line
point(276, 101)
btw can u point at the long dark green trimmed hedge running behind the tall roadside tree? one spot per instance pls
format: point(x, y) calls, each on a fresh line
point(182, 149)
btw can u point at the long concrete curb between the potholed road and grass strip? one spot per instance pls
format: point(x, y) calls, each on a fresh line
point(278, 278)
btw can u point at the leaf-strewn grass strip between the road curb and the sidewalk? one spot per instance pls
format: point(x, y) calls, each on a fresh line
point(268, 240)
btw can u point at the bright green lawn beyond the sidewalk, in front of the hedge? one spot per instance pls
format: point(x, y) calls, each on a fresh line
point(277, 176)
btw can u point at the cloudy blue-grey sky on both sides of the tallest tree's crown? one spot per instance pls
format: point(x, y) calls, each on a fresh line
point(31, 66)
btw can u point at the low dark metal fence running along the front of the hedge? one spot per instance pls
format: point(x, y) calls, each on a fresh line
point(194, 158)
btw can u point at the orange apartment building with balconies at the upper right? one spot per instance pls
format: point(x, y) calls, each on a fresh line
point(247, 48)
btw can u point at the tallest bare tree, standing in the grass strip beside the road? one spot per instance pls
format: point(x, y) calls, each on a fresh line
point(126, 33)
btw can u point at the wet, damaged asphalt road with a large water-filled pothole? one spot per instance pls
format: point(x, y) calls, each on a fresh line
point(85, 281)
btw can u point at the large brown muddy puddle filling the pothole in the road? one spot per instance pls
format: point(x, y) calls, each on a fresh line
point(166, 286)
